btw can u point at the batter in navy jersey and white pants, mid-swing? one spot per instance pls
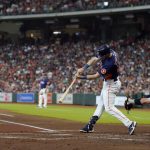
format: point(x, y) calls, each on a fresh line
point(109, 72)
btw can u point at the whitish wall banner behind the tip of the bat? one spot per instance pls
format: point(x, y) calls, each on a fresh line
point(68, 99)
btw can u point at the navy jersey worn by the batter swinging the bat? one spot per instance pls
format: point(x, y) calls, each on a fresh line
point(109, 67)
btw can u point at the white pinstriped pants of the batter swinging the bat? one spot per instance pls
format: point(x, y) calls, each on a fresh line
point(107, 100)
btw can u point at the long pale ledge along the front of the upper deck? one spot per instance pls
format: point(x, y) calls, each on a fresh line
point(76, 13)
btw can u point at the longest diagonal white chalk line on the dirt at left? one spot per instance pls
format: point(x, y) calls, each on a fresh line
point(26, 125)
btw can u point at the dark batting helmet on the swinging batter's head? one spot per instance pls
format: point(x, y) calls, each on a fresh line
point(103, 50)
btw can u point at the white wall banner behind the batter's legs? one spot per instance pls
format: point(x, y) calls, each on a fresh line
point(119, 100)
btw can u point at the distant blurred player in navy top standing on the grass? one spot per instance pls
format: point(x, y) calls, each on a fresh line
point(43, 92)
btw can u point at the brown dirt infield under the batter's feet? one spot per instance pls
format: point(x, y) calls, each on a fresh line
point(23, 132)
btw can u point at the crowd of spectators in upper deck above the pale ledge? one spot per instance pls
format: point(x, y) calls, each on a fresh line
point(18, 7)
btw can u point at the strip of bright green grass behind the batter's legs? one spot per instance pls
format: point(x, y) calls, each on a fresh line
point(75, 113)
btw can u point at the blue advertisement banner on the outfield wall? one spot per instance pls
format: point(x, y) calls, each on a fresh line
point(25, 97)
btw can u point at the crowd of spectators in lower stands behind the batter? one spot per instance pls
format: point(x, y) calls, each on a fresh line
point(22, 65)
